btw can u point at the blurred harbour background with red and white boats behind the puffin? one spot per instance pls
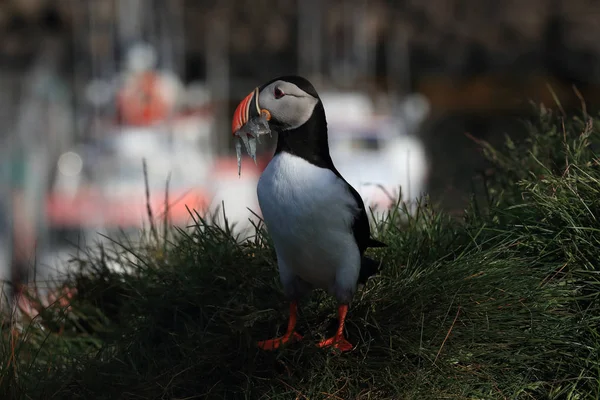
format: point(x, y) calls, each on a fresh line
point(90, 88)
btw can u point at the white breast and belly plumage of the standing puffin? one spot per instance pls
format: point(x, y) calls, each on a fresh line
point(309, 212)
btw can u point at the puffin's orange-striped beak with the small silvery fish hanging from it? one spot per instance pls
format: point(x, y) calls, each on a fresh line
point(248, 124)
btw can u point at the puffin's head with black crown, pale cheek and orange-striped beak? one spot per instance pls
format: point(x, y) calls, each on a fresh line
point(288, 102)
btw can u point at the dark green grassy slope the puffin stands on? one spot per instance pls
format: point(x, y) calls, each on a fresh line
point(501, 303)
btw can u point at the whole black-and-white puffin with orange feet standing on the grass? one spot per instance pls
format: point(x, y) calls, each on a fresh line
point(316, 219)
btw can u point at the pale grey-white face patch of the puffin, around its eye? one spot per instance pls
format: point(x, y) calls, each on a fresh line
point(290, 107)
